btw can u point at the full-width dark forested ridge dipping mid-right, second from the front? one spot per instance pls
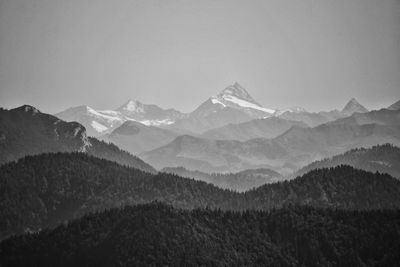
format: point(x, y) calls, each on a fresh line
point(44, 190)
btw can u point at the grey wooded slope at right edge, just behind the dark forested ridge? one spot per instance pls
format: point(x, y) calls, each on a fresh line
point(381, 158)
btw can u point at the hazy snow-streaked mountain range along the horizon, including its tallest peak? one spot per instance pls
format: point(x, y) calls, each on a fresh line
point(232, 105)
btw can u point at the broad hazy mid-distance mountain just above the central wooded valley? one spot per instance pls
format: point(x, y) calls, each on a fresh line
point(210, 156)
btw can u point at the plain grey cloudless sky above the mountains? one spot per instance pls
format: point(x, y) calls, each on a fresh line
point(316, 54)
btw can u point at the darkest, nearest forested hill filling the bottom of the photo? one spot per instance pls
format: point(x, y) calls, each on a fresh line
point(159, 235)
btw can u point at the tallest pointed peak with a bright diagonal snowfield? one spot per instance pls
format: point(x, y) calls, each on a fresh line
point(233, 105)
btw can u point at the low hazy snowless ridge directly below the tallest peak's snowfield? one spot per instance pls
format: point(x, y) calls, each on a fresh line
point(259, 128)
